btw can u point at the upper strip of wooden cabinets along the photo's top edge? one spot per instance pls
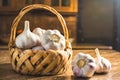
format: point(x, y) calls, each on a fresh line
point(59, 5)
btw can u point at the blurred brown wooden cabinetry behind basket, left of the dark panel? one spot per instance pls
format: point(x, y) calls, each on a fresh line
point(10, 8)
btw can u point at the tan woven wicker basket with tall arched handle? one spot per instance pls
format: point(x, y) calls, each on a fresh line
point(40, 62)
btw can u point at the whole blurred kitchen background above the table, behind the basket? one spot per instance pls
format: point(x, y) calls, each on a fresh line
point(89, 22)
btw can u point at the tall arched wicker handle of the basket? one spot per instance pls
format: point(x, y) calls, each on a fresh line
point(37, 6)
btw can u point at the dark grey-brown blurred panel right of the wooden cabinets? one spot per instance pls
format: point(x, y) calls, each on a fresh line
point(96, 21)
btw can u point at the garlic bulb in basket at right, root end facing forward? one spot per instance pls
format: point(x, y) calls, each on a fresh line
point(53, 39)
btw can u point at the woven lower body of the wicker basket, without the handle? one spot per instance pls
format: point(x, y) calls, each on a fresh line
point(31, 62)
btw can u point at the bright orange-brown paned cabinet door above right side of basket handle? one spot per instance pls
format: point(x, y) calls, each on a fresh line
point(63, 5)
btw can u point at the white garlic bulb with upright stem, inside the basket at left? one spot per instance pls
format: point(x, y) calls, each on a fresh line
point(27, 39)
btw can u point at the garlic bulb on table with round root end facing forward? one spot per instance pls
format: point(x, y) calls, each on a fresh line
point(83, 65)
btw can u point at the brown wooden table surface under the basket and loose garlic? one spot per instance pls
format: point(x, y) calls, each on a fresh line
point(6, 72)
